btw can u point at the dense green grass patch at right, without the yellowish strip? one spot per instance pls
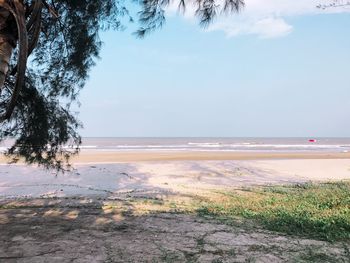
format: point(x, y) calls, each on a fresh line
point(319, 211)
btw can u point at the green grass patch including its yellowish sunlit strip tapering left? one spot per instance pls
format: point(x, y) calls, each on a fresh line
point(314, 210)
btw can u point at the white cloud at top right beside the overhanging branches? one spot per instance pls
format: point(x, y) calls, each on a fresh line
point(266, 18)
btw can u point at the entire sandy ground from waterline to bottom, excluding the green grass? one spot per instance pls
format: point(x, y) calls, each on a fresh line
point(110, 208)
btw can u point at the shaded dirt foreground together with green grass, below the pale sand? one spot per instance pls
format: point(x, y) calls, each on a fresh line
point(297, 223)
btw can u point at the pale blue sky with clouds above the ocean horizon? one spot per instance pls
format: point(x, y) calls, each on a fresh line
point(280, 68)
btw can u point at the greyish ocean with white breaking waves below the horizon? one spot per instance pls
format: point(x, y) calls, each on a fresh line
point(219, 144)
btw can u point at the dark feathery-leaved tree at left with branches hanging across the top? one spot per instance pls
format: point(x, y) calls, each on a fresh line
point(61, 40)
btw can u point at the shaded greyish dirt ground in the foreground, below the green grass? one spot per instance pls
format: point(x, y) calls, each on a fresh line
point(87, 230)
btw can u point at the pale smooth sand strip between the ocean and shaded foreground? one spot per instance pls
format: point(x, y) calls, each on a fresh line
point(115, 173)
